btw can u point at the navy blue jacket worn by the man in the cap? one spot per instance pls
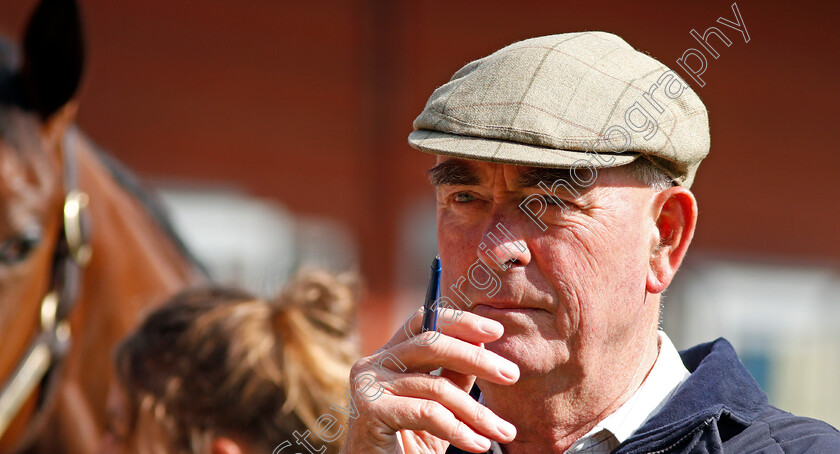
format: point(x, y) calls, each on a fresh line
point(721, 409)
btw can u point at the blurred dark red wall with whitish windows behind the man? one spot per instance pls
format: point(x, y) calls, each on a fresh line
point(302, 109)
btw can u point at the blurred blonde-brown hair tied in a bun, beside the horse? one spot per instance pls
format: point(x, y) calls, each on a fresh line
point(217, 361)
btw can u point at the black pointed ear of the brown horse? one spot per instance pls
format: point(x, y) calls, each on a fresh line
point(53, 56)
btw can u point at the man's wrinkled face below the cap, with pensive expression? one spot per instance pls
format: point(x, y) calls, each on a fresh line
point(574, 301)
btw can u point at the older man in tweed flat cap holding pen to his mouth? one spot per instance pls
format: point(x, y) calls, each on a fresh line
point(562, 179)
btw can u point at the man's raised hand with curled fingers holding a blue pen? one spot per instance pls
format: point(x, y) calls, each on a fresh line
point(395, 396)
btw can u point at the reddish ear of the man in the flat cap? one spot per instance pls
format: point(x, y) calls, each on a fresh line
point(675, 211)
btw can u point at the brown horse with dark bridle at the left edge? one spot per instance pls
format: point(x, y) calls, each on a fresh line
point(81, 255)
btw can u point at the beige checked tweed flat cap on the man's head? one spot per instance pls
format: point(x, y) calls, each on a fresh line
point(567, 100)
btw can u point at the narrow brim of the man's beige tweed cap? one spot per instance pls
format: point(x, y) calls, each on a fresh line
point(508, 152)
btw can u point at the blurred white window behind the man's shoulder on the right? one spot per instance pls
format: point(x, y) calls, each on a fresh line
point(783, 320)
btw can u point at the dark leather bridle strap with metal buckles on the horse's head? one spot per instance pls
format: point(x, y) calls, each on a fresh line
point(39, 366)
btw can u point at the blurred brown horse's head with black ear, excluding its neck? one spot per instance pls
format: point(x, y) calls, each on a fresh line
point(36, 109)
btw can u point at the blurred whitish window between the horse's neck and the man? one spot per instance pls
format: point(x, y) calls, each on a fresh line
point(254, 243)
